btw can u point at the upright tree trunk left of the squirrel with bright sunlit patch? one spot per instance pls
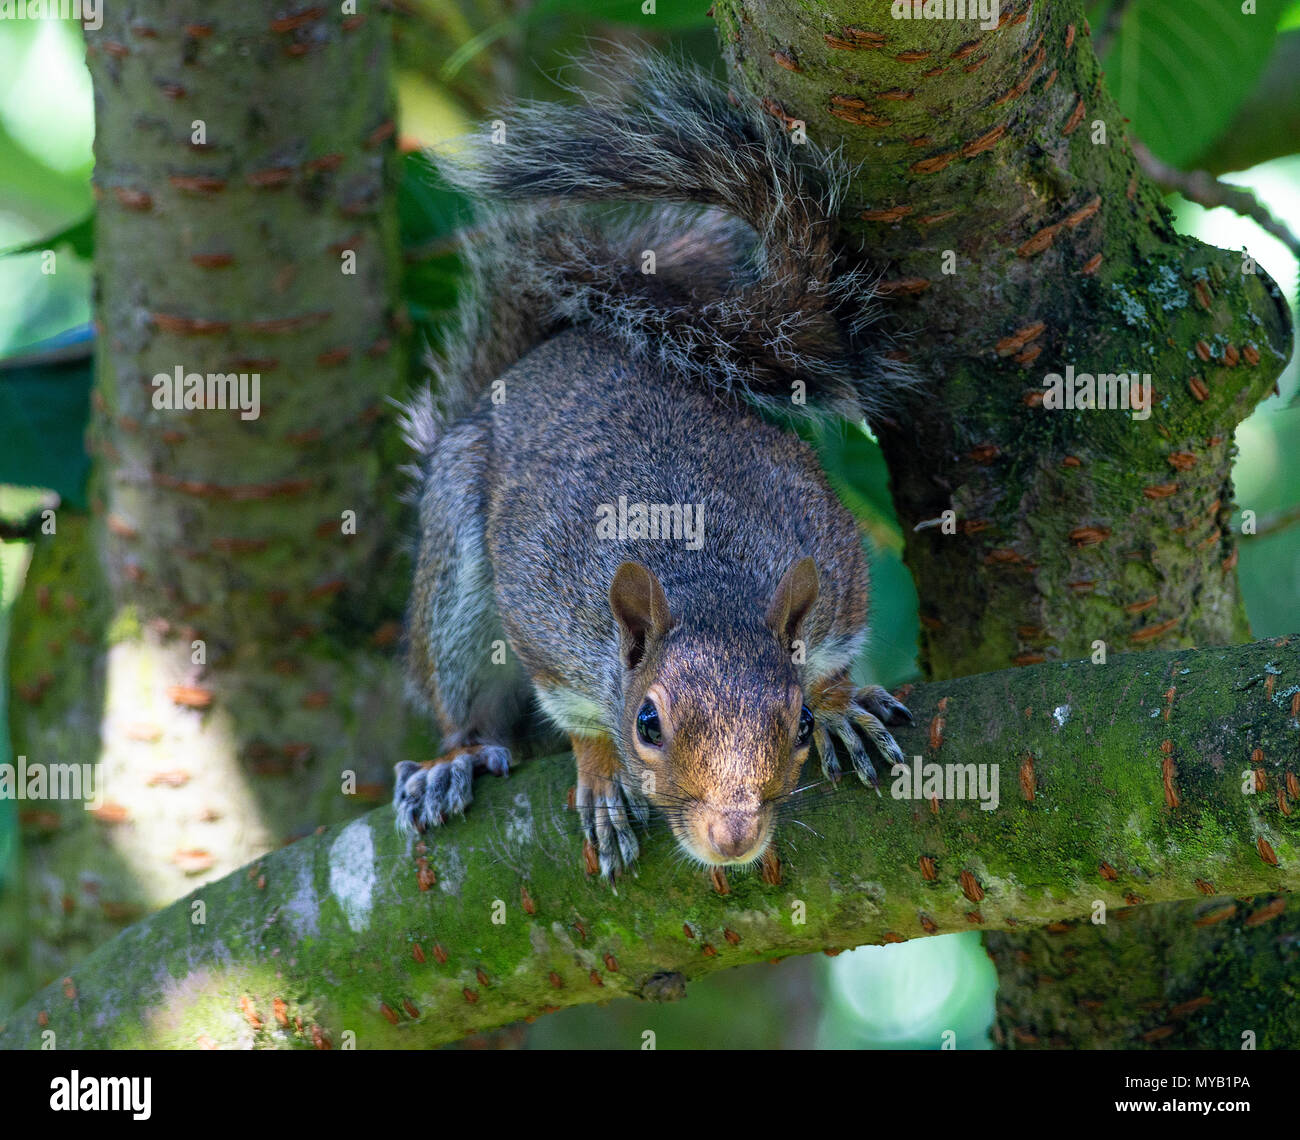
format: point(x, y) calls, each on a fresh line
point(215, 636)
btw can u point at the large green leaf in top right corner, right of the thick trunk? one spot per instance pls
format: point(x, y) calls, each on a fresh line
point(1181, 68)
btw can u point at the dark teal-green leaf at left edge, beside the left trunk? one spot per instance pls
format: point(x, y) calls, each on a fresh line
point(45, 408)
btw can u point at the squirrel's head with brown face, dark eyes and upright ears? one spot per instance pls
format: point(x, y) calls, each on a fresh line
point(714, 729)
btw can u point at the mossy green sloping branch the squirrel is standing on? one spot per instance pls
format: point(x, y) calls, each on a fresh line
point(1120, 784)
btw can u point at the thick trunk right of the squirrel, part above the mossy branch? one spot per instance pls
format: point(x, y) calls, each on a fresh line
point(1004, 150)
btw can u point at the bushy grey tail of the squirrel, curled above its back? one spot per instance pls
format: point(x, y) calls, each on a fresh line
point(748, 293)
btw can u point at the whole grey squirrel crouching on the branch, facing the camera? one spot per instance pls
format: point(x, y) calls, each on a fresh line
point(606, 522)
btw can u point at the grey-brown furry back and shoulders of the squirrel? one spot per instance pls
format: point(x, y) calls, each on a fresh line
point(600, 458)
